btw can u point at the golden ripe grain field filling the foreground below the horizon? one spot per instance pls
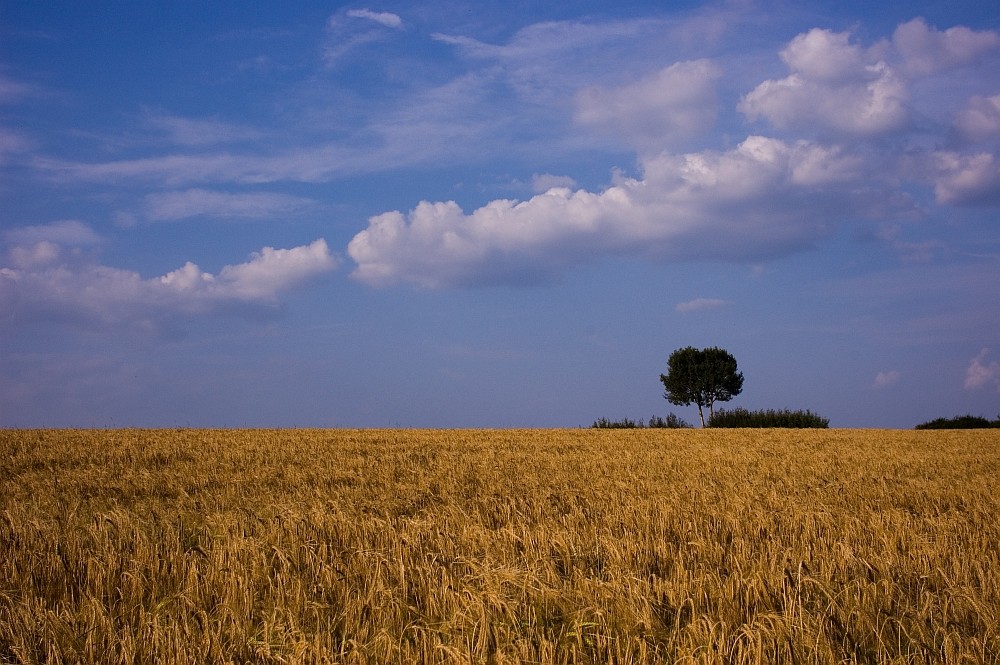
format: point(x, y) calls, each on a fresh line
point(499, 546)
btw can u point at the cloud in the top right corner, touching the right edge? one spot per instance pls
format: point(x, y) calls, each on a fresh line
point(926, 50)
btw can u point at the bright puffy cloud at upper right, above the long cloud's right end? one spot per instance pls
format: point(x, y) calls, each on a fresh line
point(833, 84)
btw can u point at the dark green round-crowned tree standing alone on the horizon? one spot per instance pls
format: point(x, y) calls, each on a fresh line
point(702, 377)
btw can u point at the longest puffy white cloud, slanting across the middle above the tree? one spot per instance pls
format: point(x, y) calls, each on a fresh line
point(757, 200)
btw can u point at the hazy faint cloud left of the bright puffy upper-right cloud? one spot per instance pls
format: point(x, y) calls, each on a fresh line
point(659, 111)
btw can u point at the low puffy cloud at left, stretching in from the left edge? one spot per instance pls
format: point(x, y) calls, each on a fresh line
point(49, 281)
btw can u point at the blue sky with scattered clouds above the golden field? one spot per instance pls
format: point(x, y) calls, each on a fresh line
point(468, 214)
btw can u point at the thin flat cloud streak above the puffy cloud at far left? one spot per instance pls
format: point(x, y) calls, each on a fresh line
point(195, 202)
